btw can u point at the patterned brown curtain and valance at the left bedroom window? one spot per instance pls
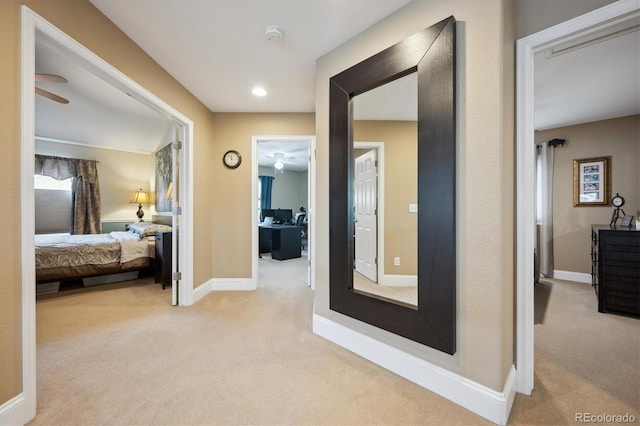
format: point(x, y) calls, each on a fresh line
point(85, 190)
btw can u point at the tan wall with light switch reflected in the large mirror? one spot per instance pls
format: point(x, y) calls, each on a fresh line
point(401, 188)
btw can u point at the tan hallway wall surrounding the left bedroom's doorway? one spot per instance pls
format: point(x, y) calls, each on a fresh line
point(80, 20)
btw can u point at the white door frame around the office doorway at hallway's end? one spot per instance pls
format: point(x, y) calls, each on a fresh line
point(311, 229)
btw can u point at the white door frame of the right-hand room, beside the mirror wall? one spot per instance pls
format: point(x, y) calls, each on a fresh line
point(525, 153)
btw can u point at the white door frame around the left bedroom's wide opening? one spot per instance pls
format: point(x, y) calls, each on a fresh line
point(32, 23)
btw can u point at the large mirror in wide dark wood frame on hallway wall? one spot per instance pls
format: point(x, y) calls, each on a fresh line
point(426, 62)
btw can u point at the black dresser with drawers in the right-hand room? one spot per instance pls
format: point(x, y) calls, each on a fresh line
point(615, 268)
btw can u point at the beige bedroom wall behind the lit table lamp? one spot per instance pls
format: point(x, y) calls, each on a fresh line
point(119, 173)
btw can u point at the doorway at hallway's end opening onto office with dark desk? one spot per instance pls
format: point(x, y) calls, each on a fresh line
point(283, 205)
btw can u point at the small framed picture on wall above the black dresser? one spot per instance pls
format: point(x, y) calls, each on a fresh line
point(591, 182)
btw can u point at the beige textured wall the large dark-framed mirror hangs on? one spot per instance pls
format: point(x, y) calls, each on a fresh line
point(485, 180)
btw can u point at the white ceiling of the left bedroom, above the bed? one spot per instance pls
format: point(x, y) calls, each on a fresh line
point(97, 114)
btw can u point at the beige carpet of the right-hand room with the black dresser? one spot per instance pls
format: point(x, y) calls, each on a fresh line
point(585, 361)
